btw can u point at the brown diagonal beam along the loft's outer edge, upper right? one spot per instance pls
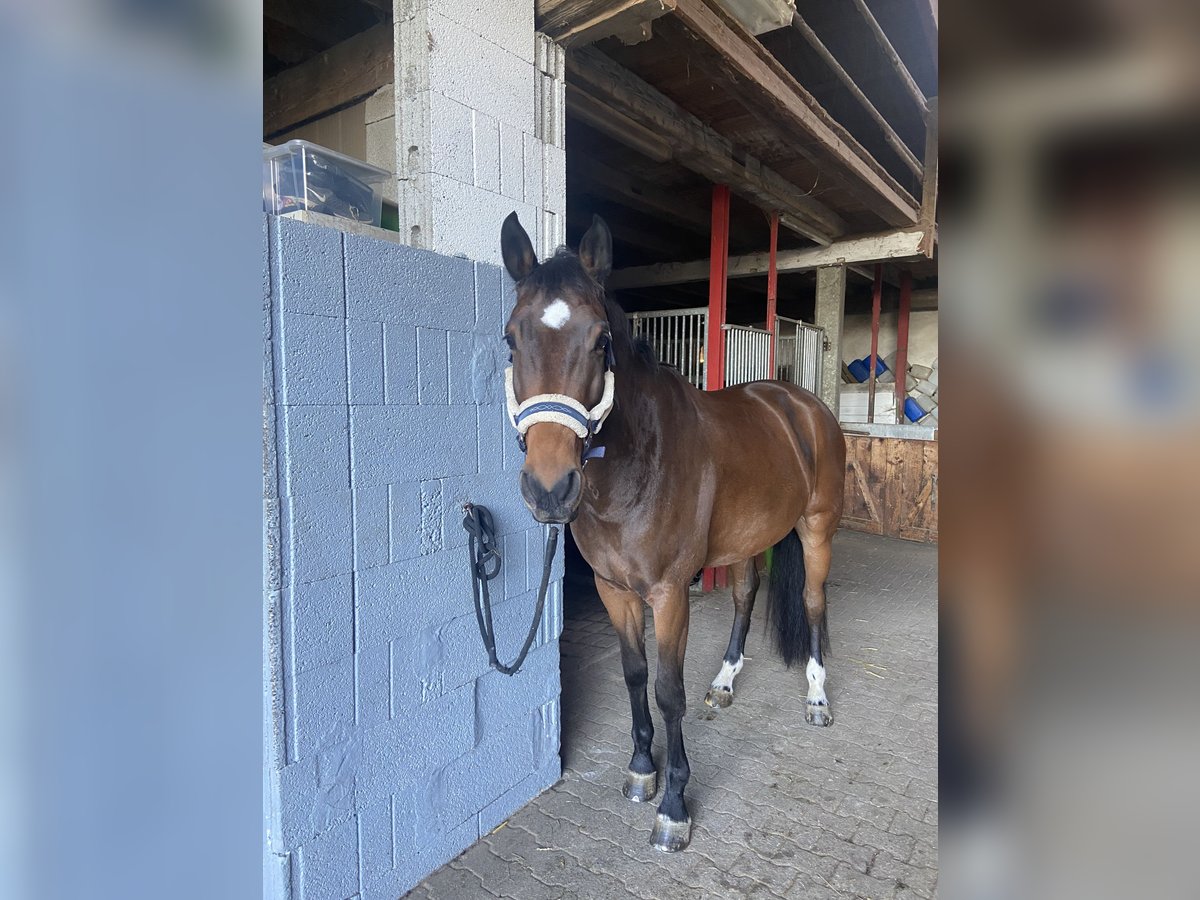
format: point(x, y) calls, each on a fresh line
point(782, 97)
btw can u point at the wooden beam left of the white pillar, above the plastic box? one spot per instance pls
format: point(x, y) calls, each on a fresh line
point(341, 75)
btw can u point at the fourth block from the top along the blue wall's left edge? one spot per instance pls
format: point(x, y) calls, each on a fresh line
point(320, 536)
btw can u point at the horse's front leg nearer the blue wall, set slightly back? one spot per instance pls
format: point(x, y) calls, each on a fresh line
point(629, 620)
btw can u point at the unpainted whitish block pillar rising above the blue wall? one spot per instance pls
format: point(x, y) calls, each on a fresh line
point(481, 103)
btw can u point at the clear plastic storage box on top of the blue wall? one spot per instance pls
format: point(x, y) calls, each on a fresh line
point(299, 176)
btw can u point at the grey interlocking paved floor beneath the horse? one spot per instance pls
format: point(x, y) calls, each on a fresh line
point(781, 809)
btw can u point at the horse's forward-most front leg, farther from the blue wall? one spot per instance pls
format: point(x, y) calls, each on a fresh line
point(673, 826)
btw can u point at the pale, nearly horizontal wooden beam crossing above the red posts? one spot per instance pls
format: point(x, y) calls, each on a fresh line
point(905, 244)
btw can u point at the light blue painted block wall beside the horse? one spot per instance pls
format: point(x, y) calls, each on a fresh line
point(391, 745)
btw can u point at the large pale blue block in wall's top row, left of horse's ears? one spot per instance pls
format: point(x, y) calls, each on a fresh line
point(399, 285)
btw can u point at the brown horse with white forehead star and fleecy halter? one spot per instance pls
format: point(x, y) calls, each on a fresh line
point(688, 479)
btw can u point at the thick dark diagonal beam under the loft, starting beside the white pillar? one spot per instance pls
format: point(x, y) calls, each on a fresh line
point(698, 147)
